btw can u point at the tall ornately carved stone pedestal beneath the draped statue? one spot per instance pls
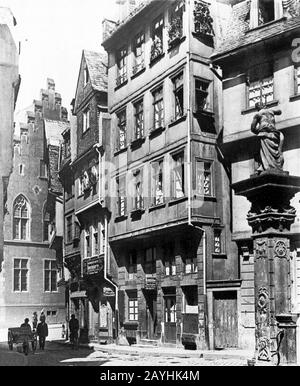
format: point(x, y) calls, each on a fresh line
point(270, 218)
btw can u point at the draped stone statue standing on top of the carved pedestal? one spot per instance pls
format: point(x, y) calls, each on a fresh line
point(271, 139)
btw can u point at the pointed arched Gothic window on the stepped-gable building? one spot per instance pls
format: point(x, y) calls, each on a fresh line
point(21, 219)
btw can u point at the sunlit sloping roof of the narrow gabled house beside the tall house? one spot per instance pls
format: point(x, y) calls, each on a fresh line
point(97, 66)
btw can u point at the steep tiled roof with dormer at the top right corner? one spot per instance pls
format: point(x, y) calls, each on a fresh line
point(240, 35)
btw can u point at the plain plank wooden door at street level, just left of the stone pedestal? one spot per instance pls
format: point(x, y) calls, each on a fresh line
point(225, 320)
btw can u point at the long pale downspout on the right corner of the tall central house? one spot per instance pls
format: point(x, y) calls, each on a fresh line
point(189, 151)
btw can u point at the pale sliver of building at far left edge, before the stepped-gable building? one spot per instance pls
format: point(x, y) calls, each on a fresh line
point(9, 86)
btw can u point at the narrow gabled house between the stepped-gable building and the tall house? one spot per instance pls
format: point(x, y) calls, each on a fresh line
point(85, 153)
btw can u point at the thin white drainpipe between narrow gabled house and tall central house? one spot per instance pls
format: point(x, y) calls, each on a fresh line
point(106, 254)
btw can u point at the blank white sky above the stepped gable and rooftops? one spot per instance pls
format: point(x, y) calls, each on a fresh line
point(53, 34)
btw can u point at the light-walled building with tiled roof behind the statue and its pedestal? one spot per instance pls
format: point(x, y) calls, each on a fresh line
point(259, 62)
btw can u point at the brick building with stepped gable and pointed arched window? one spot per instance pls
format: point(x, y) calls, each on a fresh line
point(29, 272)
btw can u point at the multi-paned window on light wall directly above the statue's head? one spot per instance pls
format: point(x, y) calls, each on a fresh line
point(261, 91)
